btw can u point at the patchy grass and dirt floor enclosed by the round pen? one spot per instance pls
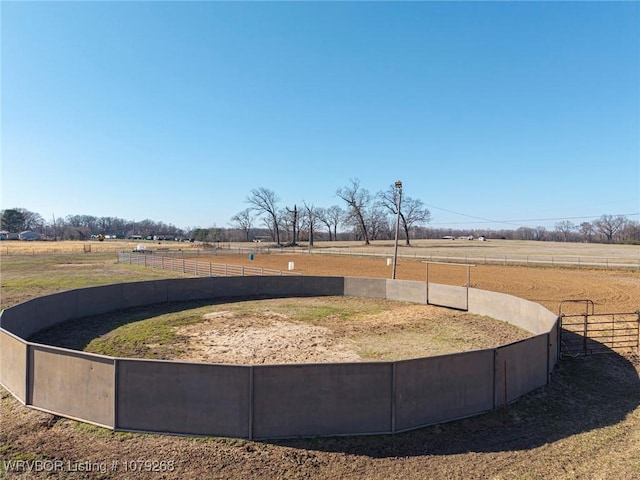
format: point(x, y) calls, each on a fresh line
point(290, 330)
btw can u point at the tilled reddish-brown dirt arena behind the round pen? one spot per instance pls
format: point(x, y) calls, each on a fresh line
point(611, 291)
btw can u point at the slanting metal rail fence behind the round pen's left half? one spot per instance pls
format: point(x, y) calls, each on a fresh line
point(197, 268)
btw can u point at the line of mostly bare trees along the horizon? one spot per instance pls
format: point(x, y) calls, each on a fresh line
point(364, 217)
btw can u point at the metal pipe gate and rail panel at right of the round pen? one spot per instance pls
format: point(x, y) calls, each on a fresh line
point(590, 333)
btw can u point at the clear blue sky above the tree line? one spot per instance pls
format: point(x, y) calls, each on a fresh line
point(175, 111)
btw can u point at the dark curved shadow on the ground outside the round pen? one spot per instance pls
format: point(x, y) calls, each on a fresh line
point(584, 394)
